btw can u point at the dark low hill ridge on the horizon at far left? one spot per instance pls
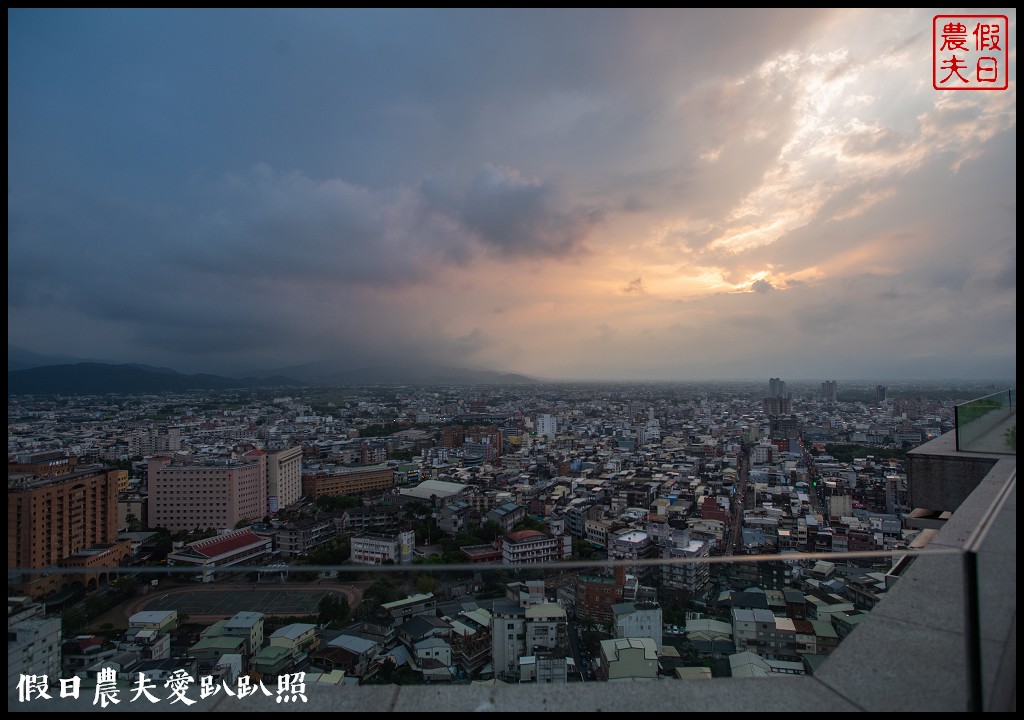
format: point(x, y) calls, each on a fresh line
point(101, 379)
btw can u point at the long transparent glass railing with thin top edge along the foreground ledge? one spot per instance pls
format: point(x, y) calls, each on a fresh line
point(282, 630)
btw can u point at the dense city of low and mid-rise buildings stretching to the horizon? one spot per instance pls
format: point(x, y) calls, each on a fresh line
point(234, 534)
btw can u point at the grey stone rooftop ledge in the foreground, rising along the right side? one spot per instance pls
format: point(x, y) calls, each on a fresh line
point(933, 644)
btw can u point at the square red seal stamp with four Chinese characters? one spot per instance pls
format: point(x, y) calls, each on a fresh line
point(970, 53)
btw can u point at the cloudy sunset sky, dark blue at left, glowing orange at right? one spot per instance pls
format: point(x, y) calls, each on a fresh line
point(600, 195)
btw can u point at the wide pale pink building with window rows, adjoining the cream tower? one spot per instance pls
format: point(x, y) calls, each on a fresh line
point(215, 495)
